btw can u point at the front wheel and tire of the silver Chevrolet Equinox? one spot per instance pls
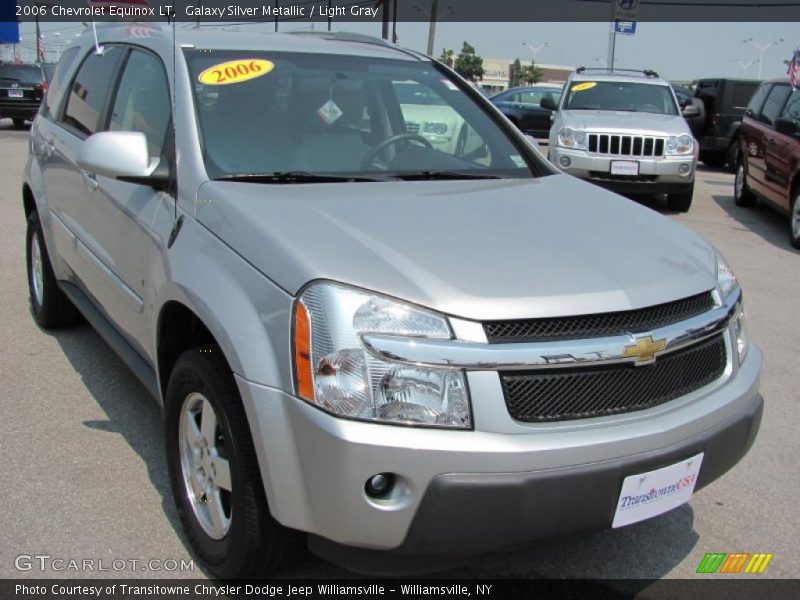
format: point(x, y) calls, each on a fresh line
point(214, 472)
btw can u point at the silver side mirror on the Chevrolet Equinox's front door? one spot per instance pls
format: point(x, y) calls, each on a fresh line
point(122, 155)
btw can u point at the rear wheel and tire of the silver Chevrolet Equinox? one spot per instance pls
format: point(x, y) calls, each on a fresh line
point(49, 306)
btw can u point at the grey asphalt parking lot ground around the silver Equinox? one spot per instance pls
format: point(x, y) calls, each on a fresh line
point(86, 475)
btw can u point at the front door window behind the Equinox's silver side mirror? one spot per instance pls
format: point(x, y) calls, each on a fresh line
point(143, 101)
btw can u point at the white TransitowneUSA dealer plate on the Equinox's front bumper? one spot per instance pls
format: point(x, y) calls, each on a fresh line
point(656, 492)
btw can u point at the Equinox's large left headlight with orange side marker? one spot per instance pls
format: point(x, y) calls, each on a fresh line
point(336, 373)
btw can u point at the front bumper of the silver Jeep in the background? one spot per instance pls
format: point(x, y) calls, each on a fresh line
point(657, 175)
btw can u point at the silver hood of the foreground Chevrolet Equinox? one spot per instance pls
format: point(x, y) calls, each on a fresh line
point(487, 249)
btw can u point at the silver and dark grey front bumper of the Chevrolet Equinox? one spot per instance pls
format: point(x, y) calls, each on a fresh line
point(503, 483)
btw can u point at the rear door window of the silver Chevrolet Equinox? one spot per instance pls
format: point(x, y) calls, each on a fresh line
point(90, 90)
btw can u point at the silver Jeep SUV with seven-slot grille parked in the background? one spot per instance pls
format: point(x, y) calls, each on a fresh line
point(624, 130)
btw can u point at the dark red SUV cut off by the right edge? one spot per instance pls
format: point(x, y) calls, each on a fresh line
point(768, 165)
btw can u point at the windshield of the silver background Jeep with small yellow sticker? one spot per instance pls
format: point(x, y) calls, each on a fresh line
point(622, 96)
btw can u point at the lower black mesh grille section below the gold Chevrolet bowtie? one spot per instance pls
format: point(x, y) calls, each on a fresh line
point(566, 394)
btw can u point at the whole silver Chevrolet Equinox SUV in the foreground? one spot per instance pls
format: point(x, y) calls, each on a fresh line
point(379, 324)
